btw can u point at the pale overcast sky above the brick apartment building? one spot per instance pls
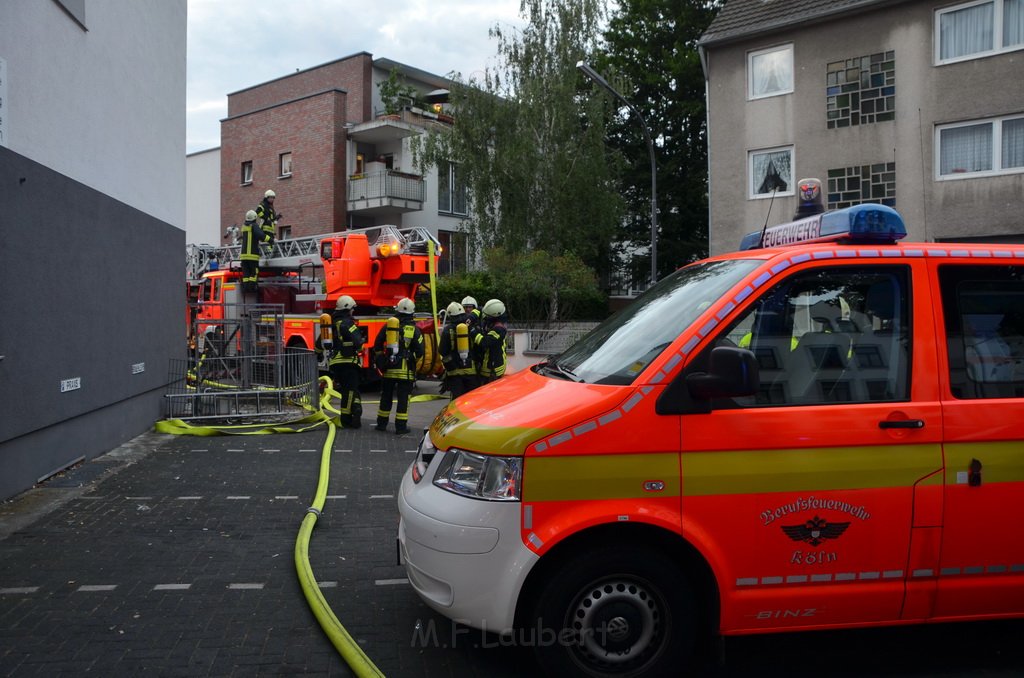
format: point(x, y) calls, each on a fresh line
point(234, 45)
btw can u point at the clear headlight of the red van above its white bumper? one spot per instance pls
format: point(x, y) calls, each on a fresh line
point(481, 477)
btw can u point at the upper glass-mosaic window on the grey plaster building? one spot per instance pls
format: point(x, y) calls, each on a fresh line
point(862, 91)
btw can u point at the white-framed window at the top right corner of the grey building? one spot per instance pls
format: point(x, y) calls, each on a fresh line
point(978, 29)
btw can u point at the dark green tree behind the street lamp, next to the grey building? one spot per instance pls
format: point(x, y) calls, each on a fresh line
point(651, 52)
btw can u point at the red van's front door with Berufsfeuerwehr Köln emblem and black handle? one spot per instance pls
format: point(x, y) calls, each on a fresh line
point(804, 495)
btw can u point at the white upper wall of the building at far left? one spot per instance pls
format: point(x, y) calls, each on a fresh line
point(75, 105)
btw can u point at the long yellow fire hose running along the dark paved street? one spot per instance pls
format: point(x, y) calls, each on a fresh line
point(343, 642)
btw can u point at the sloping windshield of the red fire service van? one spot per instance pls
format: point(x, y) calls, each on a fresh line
point(619, 350)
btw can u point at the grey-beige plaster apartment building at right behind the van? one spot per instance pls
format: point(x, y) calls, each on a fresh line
point(915, 104)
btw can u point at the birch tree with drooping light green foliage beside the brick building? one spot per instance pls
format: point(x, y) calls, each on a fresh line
point(530, 149)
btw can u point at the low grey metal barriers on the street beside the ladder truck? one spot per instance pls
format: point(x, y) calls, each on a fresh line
point(243, 389)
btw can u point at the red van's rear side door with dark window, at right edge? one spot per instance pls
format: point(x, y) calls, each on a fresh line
point(983, 563)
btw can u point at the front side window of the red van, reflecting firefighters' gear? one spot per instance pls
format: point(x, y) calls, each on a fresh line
point(829, 336)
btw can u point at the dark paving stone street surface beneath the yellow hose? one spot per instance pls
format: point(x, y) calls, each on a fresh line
point(175, 557)
